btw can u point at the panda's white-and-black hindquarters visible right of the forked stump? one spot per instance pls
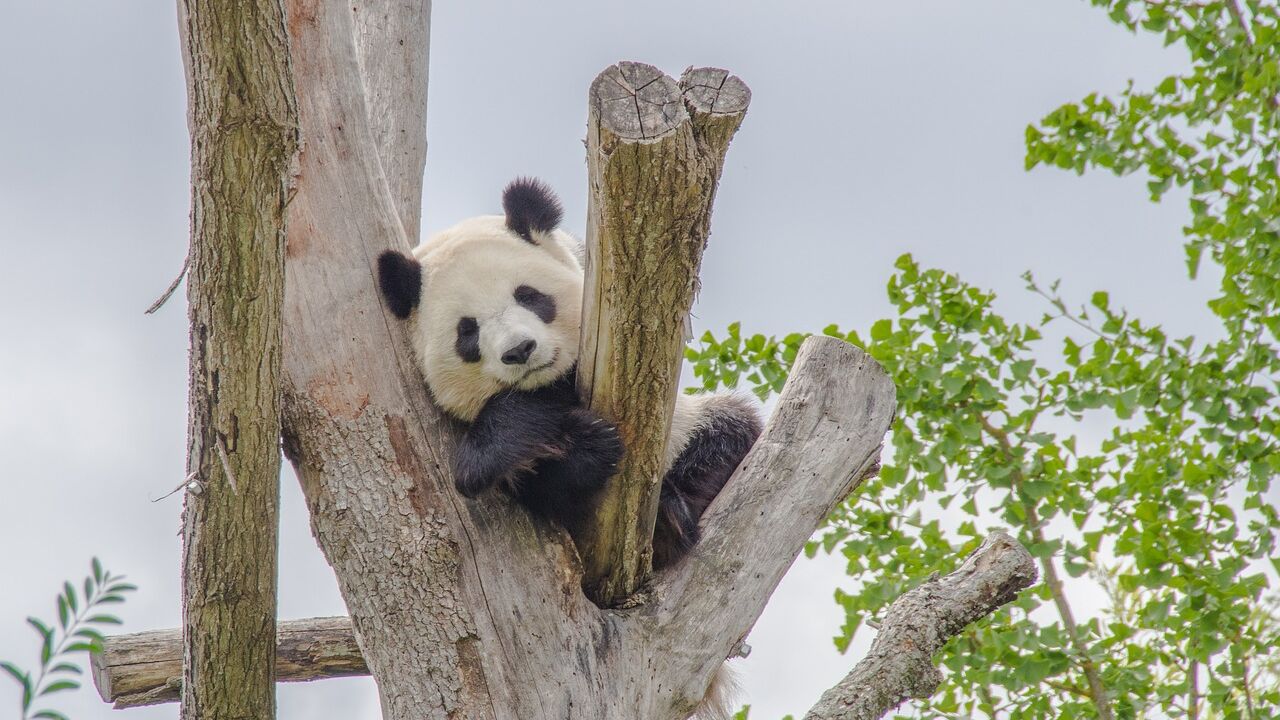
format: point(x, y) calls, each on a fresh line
point(711, 435)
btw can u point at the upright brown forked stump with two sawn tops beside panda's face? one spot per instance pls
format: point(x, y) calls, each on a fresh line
point(655, 156)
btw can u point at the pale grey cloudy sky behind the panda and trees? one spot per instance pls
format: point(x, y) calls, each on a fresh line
point(876, 129)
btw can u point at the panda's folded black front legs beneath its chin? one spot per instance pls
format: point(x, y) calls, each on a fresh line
point(543, 448)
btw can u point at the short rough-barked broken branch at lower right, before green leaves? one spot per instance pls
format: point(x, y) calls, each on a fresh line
point(900, 664)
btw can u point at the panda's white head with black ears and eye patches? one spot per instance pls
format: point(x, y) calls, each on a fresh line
point(493, 303)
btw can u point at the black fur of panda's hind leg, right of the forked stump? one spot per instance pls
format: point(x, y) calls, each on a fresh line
point(697, 477)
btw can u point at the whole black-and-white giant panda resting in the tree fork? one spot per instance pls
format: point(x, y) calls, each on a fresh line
point(495, 308)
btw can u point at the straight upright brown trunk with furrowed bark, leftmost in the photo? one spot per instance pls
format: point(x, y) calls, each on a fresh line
point(245, 136)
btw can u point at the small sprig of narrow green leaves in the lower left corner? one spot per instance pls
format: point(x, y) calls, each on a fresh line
point(79, 619)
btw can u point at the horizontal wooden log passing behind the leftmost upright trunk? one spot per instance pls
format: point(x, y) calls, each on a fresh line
point(147, 668)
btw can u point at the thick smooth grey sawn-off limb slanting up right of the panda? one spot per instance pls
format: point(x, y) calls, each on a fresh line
point(824, 439)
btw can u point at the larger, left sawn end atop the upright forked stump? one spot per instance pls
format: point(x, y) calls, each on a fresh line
point(638, 102)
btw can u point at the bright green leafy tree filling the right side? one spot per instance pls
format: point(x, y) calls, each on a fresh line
point(1172, 509)
